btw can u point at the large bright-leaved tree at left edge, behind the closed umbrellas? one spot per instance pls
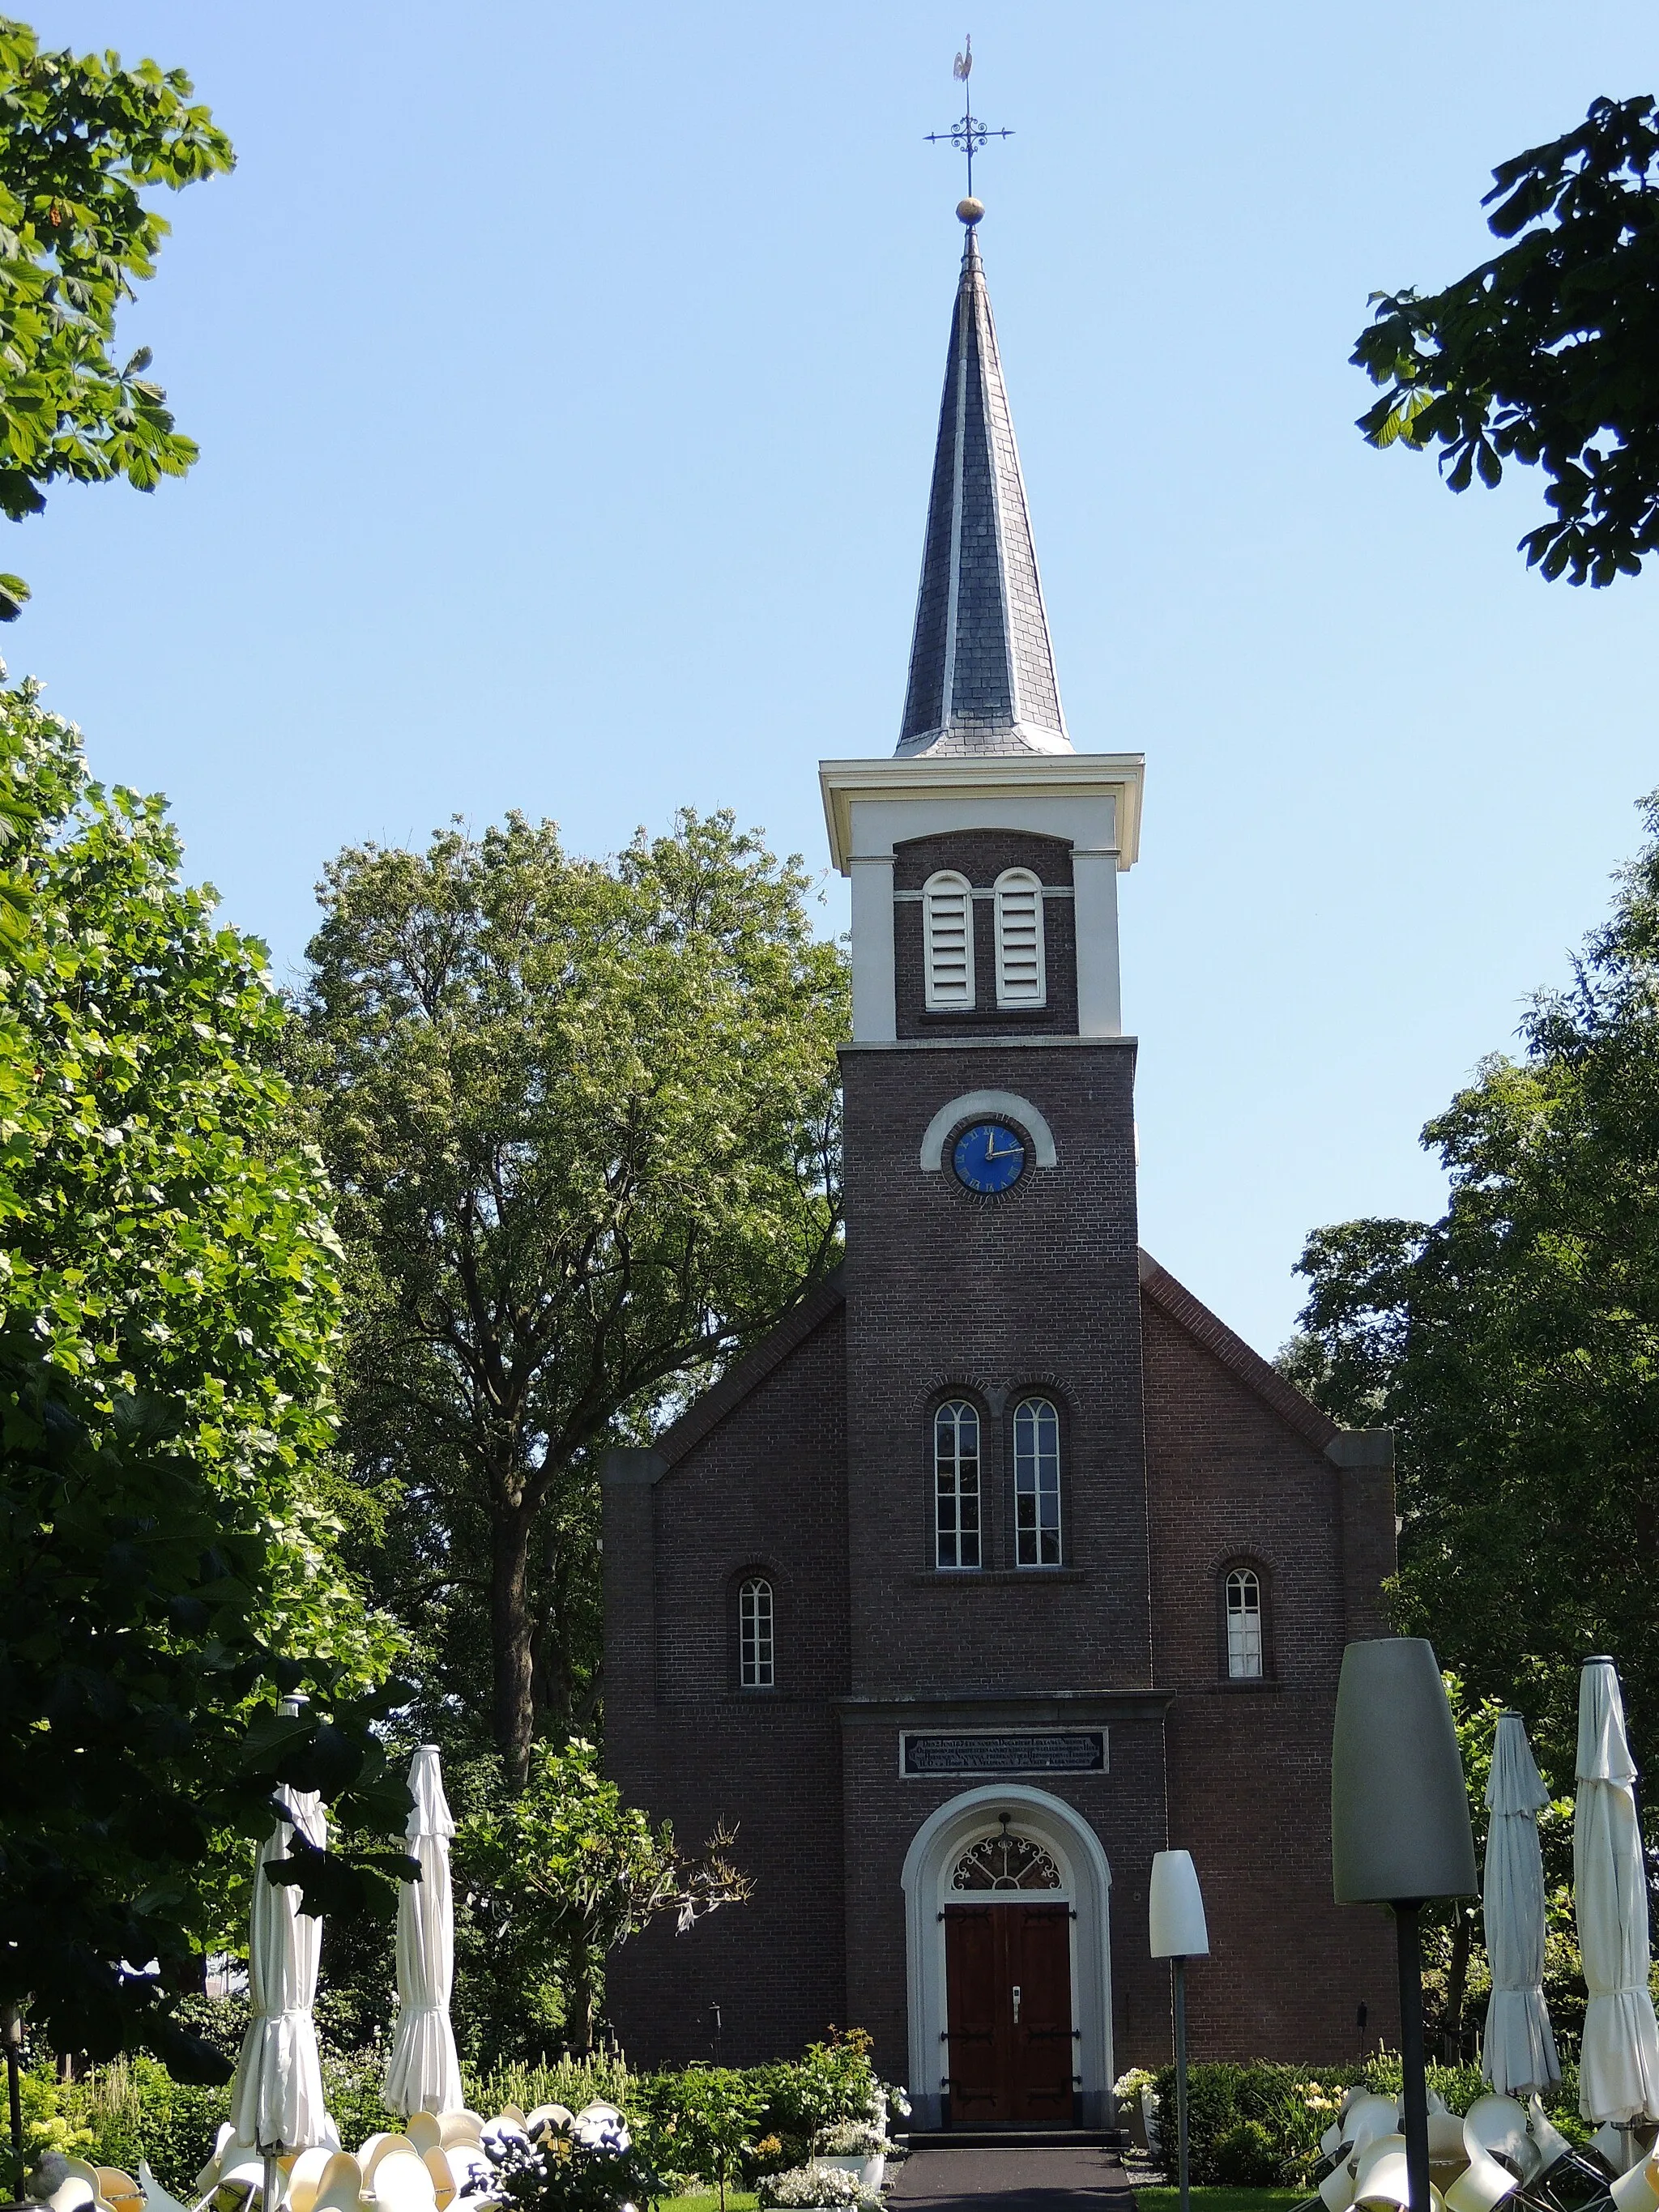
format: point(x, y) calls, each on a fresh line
point(169, 1304)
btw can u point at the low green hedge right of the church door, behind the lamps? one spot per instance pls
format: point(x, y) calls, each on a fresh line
point(1260, 2127)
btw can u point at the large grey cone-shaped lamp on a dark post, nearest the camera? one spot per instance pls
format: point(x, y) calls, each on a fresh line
point(1401, 1830)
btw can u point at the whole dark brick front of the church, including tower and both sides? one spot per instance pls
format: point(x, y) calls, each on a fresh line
point(811, 1463)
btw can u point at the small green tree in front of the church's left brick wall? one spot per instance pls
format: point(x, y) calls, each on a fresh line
point(563, 1872)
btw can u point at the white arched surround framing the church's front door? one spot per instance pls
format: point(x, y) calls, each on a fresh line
point(1087, 1886)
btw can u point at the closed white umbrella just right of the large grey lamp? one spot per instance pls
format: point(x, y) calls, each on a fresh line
point(1519, 2049)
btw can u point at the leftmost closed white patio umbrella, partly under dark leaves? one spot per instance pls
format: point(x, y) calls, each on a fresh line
point(278, 2089)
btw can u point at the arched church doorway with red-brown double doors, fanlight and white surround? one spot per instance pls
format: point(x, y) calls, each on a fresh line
point(997, 1906)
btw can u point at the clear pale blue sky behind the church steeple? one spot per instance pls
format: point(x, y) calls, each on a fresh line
point(565, 386)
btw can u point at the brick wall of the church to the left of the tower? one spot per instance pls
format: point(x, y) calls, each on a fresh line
point(762, 1492)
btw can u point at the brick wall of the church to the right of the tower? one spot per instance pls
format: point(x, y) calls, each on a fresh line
point(1251, 1764)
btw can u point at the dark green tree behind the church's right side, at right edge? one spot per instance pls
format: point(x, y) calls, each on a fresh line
point(1514, 1346)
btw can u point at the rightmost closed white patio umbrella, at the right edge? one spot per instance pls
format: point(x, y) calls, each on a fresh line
point(1620, 2056)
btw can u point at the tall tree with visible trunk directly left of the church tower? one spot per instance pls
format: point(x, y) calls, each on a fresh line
point(583, 1123)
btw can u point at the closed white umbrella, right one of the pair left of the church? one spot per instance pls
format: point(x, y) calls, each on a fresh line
point(424, 2072)
